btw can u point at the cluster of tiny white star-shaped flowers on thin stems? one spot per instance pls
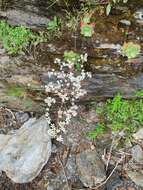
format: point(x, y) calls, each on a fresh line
point(64, 85)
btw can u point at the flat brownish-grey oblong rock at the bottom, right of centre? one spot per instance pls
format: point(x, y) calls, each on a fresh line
point(90, 168)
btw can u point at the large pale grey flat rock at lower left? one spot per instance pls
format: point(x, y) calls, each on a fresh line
point(24, 152)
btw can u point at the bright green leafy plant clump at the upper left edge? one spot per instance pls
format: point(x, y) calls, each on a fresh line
point(15, 39)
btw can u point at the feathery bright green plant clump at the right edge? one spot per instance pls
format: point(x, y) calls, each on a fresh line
point(120, 115)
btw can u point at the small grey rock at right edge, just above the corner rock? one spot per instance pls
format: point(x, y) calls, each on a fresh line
point(137, 154)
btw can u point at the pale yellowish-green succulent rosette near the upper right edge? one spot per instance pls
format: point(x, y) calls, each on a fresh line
point(130, 49)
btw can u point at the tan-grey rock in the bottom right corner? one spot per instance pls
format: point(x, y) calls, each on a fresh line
point(137, 177)
